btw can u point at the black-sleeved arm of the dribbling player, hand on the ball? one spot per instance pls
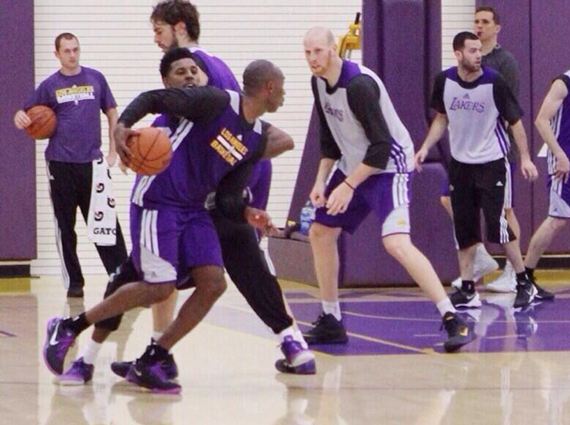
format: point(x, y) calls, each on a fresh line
point(195, 104)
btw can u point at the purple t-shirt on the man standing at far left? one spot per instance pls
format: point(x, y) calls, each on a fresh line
point(77, 101)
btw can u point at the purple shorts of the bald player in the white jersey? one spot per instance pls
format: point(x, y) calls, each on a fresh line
point(387, 194)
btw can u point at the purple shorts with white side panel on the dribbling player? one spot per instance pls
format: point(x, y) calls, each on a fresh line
point(168, 240)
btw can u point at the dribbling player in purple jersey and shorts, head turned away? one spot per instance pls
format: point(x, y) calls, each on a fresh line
point(169, 219)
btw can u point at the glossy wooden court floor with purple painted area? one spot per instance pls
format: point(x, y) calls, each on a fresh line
point(392, 371)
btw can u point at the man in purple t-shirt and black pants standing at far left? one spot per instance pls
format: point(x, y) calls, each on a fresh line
point(77, 94)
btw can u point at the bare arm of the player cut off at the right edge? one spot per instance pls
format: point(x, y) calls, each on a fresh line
point(550, 106)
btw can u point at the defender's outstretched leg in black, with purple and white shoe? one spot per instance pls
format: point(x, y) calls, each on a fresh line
point(248, 270)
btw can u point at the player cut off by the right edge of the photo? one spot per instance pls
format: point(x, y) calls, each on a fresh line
point(553, 124)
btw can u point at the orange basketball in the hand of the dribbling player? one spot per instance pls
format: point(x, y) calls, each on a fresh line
point(151, 149)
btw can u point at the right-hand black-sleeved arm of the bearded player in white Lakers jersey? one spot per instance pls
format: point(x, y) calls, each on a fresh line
point(511, 111)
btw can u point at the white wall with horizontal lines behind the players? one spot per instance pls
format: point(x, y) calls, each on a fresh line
point(116, 38)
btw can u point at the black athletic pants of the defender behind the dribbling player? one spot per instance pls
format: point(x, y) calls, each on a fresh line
point(247, 268)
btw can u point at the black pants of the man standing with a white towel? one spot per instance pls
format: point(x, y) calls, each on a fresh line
point(70, 187)
